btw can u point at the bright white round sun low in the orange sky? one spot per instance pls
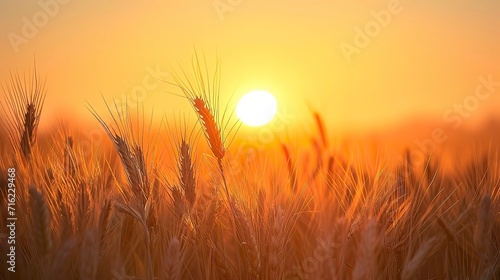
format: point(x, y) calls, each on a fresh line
point(256, 108)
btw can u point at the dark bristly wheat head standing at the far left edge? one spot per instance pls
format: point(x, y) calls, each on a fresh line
point(25, 97)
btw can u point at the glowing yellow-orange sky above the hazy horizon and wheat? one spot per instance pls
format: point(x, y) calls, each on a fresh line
point(360, 64)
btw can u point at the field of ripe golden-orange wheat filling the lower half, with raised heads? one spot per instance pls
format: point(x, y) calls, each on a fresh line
point(137, 209)
